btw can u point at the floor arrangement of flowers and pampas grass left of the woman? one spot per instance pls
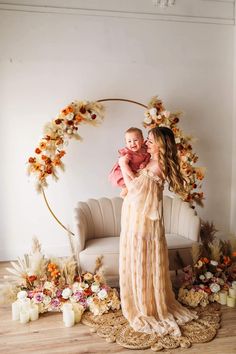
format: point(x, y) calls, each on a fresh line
point(51, 283)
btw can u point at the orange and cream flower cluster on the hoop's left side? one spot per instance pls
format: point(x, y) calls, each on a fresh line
point(51, 148)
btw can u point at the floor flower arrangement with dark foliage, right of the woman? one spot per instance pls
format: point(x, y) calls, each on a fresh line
point(209, 275)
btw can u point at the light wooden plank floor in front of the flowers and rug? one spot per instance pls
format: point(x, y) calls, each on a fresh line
point(48, 335)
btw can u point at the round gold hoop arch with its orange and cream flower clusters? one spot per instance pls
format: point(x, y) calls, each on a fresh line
point(60, 130)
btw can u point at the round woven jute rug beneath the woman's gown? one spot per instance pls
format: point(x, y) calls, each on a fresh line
point(115, 328)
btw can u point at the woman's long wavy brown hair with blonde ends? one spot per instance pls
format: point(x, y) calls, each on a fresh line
point(169, 160)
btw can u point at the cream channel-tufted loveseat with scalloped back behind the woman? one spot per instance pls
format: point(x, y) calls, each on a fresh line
point(98, 228)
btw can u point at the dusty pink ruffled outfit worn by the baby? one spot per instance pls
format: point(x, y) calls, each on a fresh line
point(135, 160)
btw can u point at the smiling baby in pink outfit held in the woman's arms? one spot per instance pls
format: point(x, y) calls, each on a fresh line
point(138, 157)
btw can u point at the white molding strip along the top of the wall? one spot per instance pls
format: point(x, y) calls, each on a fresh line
point(201, 11)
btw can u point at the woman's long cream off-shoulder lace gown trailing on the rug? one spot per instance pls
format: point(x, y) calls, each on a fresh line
point(147, 298)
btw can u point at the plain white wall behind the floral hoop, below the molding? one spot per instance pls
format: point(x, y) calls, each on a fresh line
point(50, 59)
